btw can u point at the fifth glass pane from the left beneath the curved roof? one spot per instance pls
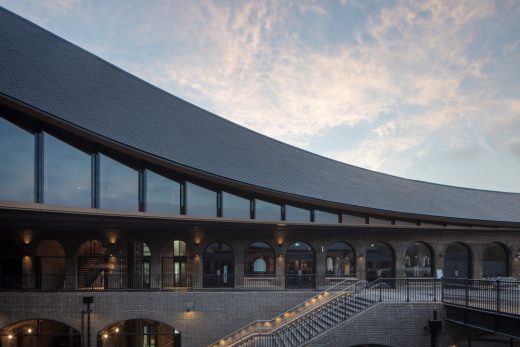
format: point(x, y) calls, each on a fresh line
point(200, 201)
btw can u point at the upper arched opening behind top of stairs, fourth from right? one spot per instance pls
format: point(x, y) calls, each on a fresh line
point(380, 261)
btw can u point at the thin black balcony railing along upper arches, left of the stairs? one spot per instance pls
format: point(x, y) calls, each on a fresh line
point(104, 281)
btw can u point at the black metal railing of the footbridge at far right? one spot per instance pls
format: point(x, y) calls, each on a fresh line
point(502, 296)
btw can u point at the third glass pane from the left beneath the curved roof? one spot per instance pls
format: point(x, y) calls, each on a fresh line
point(118, 185)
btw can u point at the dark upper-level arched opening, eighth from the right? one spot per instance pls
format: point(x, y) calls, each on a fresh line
point(218, 265)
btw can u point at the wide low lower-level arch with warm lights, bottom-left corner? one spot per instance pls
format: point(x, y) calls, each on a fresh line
point(40, 332)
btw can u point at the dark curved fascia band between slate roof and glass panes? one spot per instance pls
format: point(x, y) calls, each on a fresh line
point(45, 117)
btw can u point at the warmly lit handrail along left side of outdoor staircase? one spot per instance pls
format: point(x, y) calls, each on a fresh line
point(317, 300)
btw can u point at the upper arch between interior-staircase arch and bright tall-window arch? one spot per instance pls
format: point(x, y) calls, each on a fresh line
point(136, 265)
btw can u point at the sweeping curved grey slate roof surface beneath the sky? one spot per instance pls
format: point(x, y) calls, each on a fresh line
point(57, 77)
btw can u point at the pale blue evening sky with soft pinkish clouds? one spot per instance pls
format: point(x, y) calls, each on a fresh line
point(427, 90)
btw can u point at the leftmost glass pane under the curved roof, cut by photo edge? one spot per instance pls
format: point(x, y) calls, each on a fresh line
point(16, 163)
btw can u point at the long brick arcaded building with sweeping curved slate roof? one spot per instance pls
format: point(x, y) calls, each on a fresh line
point(182, 226)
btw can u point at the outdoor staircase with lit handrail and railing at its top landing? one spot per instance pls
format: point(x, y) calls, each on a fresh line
point(316, 316)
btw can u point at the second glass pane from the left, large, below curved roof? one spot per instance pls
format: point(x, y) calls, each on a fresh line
point(67, 174)
